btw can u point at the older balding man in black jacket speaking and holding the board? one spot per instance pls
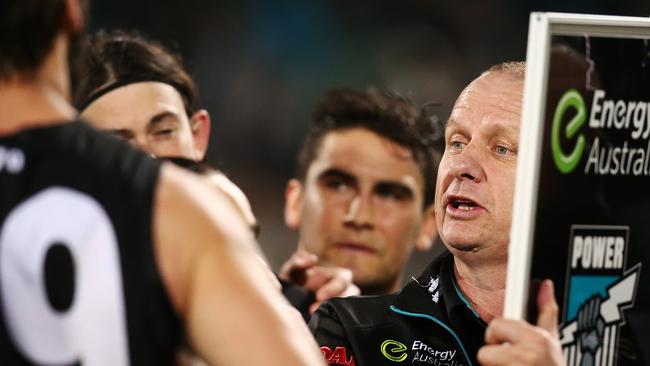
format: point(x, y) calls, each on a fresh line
point(441, 317)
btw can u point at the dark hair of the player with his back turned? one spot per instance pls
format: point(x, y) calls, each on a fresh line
point(27, 31)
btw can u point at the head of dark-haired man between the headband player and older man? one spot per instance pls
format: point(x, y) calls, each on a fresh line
point(362, 195)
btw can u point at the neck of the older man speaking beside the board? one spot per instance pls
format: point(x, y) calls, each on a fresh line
point(483, 286)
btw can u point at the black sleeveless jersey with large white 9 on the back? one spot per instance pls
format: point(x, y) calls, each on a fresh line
point(79, 284)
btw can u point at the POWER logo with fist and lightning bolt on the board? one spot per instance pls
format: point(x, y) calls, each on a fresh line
point(599, 289)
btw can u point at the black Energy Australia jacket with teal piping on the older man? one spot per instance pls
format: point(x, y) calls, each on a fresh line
point(414, 326)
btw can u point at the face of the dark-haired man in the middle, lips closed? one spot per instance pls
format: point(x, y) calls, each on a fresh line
point(361, 207)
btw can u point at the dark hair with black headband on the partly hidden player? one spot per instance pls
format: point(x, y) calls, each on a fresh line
point(119, 56)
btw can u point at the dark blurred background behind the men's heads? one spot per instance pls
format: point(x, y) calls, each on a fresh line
point(262, 65)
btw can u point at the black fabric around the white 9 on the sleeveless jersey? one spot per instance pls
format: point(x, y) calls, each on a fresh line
point(122, 181)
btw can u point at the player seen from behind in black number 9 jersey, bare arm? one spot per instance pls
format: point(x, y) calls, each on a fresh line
point(91, 268)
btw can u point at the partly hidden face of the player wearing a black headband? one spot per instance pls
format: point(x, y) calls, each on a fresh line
point(150, 115)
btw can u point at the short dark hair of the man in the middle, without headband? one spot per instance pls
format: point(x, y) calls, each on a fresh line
point(385, 113)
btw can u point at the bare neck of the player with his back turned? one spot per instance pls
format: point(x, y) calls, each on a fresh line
point(40, 99)
